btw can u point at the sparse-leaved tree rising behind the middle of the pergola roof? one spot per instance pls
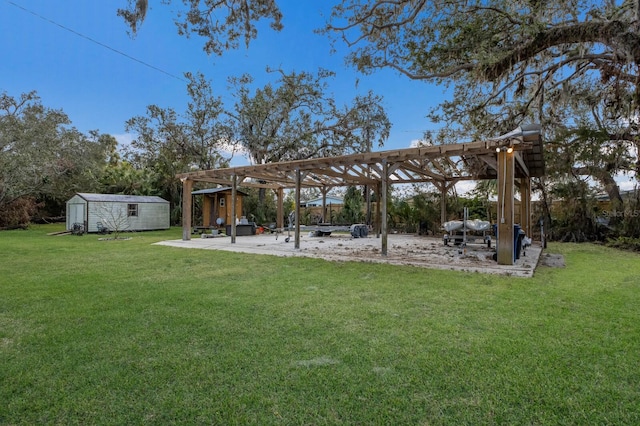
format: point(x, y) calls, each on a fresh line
point(297, 118)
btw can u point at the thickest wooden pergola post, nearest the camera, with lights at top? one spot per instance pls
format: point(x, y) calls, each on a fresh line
point(506, 169)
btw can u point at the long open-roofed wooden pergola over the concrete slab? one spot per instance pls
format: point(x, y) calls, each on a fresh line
point(513, 157)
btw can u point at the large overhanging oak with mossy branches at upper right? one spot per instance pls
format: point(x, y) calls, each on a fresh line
point(572, 66)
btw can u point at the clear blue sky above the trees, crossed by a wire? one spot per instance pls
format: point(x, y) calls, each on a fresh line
point(100, 89)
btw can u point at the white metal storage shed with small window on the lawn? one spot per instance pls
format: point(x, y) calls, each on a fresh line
point(127, 212)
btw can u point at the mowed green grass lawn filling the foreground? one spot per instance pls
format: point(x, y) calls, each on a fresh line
point(125, 332)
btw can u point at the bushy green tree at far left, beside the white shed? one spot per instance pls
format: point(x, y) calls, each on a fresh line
point(42, 158)
